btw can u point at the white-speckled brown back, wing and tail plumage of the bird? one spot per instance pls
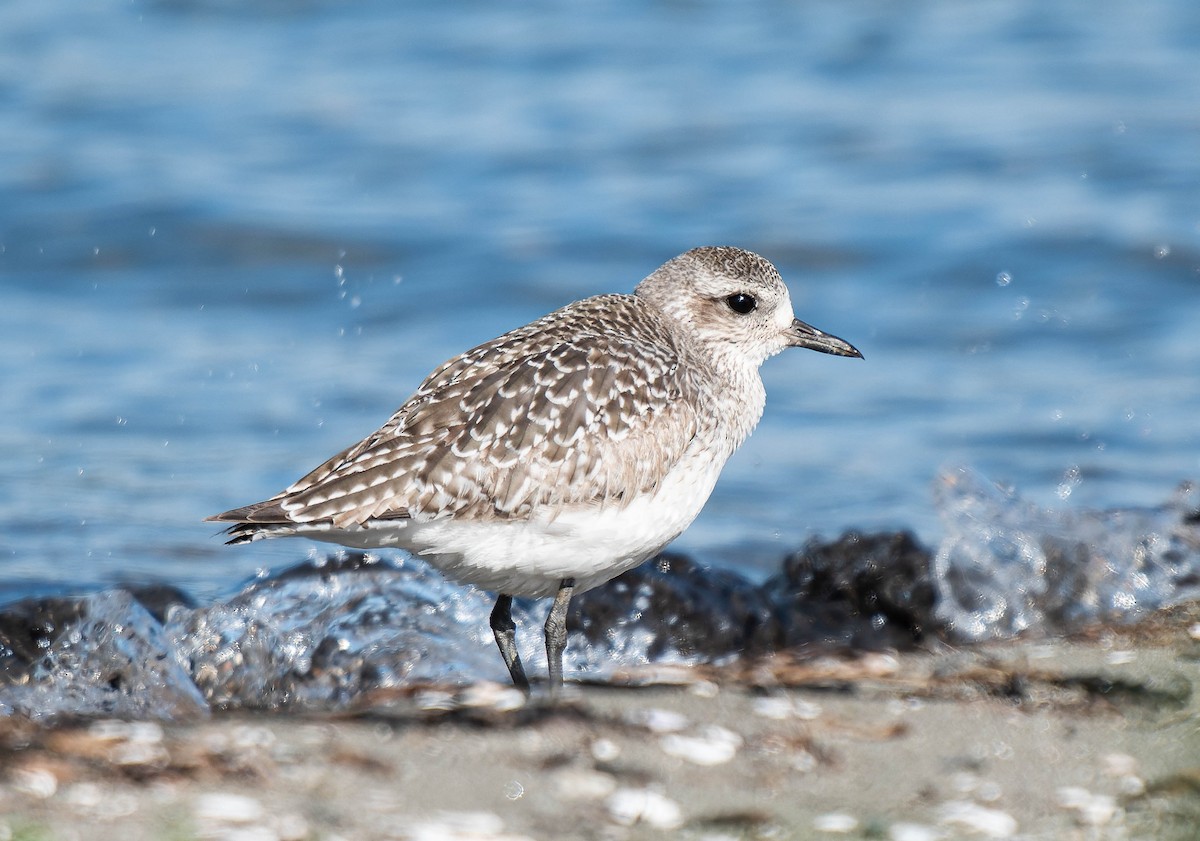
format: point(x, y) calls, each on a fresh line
point(587, 405)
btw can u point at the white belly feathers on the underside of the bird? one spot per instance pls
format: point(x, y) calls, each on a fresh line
point(531, 558)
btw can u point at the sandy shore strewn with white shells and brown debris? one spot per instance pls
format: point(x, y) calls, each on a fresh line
point(1091, 738)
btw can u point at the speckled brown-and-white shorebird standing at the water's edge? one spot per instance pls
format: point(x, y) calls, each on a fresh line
point(560, 455)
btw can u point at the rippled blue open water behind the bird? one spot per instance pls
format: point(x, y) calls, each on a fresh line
point(236, 236)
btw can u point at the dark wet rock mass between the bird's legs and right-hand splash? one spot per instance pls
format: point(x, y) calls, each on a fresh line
point(867, 592)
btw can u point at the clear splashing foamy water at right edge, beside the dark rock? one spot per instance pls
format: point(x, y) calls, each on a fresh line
point(1007, 567)
